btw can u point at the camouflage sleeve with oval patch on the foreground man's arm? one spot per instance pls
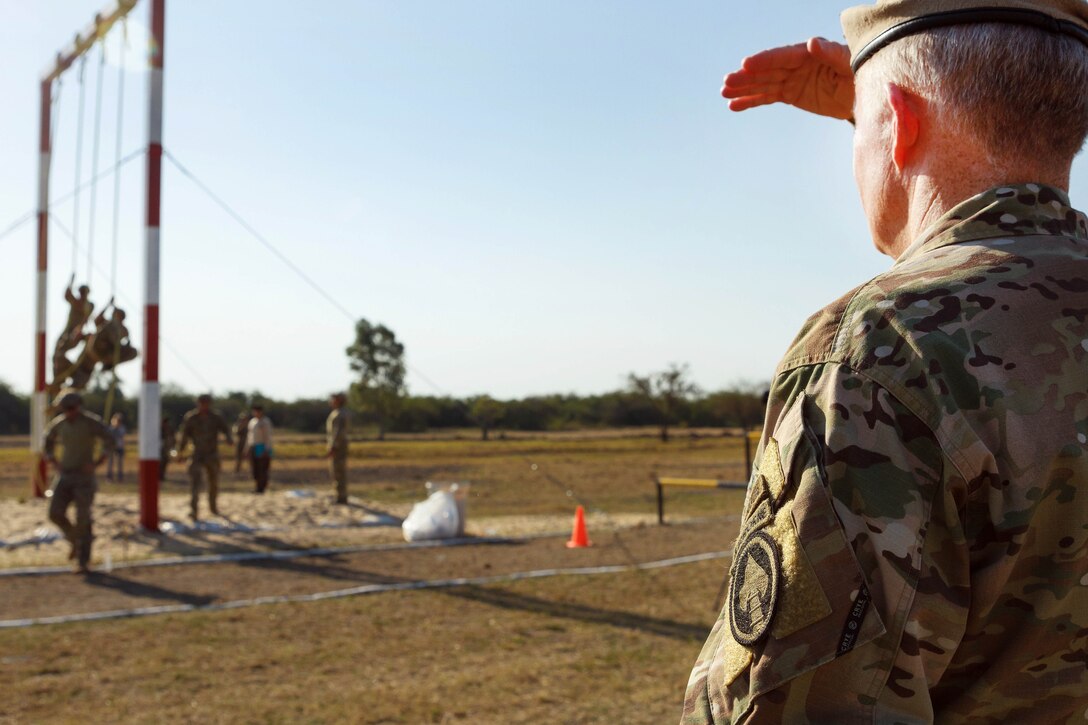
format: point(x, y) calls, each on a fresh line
point(846, 592)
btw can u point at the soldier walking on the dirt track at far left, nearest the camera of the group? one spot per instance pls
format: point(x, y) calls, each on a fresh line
point(76, 432)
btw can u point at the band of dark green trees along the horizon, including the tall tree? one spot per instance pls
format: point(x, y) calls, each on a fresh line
point(379, 398)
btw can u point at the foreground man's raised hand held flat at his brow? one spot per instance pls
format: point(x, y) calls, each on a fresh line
point(814, 77)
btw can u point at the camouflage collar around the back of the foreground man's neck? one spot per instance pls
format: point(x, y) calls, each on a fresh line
point(1003, 213)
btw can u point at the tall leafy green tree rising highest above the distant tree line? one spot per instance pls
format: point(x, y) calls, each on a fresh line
point(378, 359)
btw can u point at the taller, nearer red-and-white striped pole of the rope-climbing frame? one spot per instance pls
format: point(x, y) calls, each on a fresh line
point(151, 405)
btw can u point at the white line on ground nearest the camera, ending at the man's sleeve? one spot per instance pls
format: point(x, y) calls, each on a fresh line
point(365, 589)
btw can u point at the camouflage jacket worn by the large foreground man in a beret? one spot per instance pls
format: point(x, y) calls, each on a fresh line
point(914, 546)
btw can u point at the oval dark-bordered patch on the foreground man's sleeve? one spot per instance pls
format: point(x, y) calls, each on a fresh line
point(753, 592)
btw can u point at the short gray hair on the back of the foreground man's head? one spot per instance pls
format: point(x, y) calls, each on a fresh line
point(1022, 92)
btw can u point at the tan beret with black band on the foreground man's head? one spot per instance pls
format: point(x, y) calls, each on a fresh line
point(869, 29)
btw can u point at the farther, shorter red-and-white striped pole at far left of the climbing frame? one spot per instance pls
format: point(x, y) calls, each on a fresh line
point(39, 400)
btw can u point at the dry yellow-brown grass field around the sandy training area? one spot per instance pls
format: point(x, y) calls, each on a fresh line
point(609, 648)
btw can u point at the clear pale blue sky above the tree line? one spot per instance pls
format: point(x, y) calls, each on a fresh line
point(537, 196)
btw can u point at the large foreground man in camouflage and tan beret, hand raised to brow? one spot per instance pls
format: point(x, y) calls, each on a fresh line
point(914, 545)
